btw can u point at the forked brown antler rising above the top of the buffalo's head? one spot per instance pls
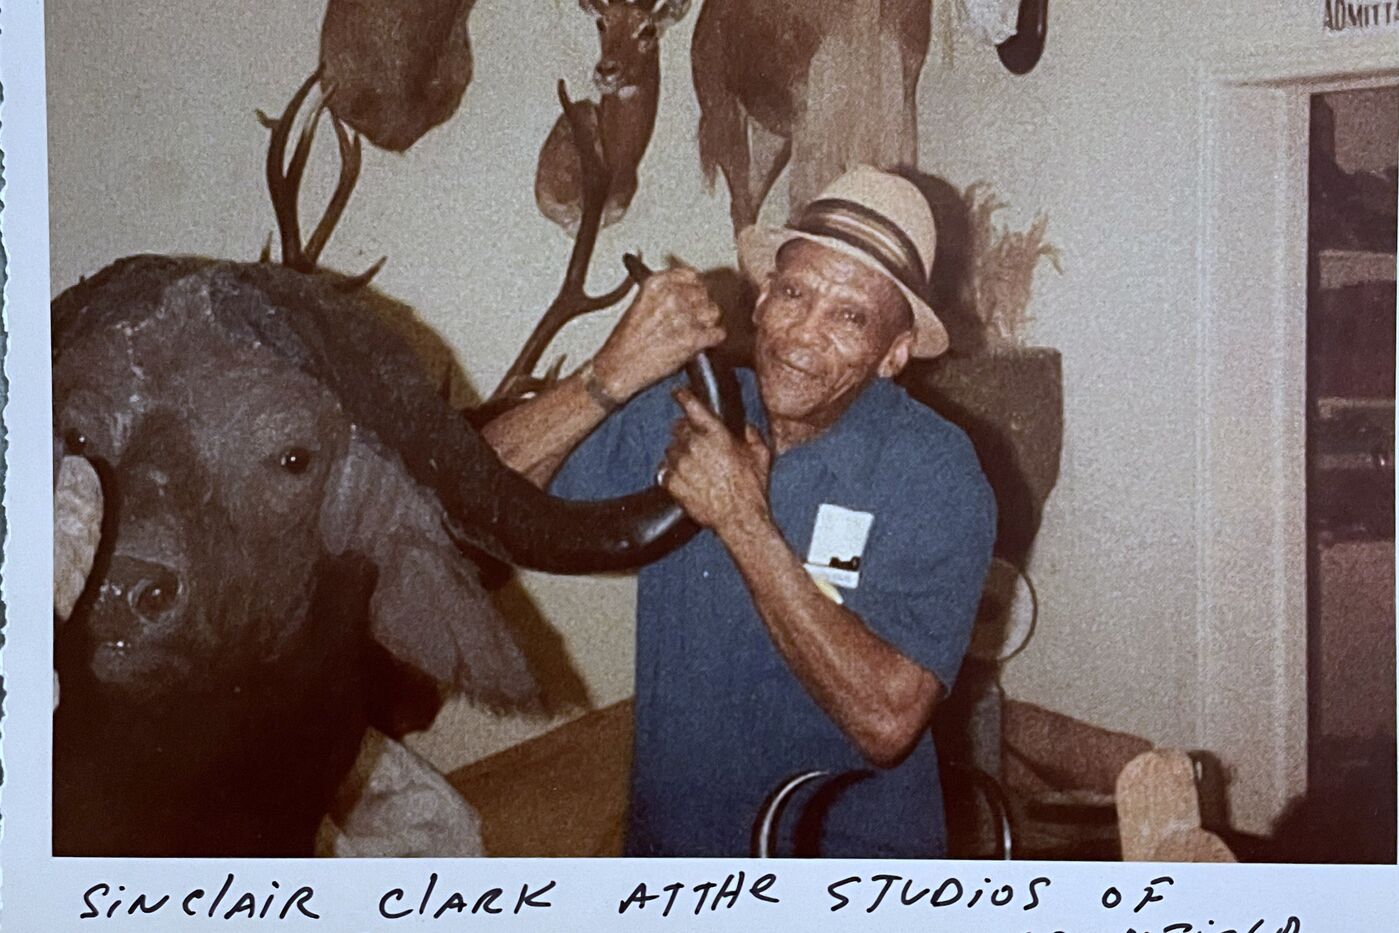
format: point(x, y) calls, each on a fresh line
point(285, 181)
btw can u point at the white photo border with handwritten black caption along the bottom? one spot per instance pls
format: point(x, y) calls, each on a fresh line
point(43, 893)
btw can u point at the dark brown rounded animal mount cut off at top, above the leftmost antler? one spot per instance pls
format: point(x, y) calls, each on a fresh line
point(395, 69)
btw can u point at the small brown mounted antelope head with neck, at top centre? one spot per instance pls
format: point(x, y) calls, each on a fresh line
point(629, 82)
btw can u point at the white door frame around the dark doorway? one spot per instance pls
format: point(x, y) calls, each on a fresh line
point(1251, 708)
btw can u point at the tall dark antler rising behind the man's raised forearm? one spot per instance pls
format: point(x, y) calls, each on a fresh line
point(573, 300)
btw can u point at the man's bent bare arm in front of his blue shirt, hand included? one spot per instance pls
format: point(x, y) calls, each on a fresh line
point(876, 695)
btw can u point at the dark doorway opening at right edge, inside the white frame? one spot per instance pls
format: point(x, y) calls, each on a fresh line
point(1351, 478)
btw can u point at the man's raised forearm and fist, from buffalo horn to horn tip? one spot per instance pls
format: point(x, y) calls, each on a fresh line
point(671, 321)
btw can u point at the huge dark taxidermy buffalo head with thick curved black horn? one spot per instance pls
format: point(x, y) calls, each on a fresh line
point(283, 489)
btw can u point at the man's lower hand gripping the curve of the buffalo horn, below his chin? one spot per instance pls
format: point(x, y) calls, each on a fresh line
point(718, 479)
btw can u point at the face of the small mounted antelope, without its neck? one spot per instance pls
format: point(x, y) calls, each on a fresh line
point(630, 36)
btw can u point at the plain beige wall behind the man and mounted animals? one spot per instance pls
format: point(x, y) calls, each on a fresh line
point(155, 149)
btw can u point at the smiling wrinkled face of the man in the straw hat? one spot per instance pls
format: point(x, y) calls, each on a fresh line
point(826, 325)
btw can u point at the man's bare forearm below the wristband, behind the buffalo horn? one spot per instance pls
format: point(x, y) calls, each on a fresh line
point(535, 437)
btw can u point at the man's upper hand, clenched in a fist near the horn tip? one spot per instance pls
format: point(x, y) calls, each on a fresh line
point(669, 322)
